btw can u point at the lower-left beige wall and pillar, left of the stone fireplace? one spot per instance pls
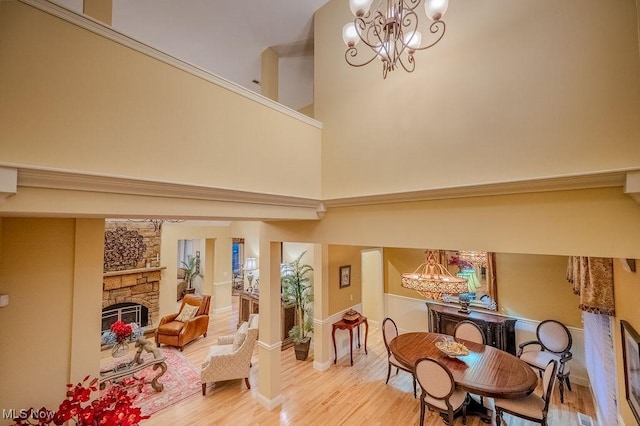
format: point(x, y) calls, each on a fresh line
point(52, 271)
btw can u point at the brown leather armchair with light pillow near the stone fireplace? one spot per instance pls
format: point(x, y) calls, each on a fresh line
point(188, 324)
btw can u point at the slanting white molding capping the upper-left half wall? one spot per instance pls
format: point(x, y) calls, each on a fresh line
point(101, 29)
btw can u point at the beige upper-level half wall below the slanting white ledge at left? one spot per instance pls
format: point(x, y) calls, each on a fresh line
point(93, 97)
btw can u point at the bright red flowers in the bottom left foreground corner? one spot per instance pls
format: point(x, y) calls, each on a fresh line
point(113, 408)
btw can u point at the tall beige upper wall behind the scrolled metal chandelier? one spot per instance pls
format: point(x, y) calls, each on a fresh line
point(513, 91)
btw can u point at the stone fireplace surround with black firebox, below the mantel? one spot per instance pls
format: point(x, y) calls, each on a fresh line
point(132, 296)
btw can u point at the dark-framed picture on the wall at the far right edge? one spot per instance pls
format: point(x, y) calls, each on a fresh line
point(631, 360)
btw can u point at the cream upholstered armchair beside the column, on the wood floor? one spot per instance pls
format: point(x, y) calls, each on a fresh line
point(230, 357)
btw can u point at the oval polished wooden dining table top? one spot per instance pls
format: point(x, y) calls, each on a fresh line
point(485, 370)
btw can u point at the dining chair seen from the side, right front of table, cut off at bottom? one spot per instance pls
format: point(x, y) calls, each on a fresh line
point(532, 407)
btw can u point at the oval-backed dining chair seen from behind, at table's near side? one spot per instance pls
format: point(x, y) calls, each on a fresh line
point(439, 390)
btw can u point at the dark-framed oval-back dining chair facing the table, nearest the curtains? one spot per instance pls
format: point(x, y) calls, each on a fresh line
point(553, 343)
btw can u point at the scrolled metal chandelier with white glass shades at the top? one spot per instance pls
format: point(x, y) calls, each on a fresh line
point(391, 31)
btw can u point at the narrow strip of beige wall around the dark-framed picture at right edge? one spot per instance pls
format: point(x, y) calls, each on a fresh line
point(626, 296)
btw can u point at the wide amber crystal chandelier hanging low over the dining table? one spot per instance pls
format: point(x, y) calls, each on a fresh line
point(432, 280)
